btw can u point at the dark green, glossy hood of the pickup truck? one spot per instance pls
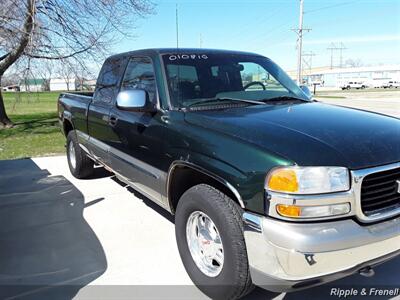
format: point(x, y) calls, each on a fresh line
point(310, 134)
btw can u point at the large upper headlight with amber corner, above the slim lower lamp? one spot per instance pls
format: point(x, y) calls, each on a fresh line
point(308, 180)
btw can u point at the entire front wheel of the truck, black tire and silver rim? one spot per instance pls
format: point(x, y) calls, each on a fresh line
point(209, 234)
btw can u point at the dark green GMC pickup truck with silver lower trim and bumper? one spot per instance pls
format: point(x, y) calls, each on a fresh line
point(268, 187)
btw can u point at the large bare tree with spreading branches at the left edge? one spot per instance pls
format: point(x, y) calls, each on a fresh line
point(62, 30)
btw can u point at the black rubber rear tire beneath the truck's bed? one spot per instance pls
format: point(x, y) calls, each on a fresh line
point(84, 166)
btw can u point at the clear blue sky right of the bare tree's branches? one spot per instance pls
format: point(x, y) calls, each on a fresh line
point(369, 29)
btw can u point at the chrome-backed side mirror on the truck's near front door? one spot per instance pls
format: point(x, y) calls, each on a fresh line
point(134, 100)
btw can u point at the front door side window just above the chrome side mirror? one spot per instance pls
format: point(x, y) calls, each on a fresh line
point(139, 74)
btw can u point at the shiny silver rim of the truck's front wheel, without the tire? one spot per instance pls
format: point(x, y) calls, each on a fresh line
point(205, 244)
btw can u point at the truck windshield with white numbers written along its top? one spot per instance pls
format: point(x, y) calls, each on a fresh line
point(193, 77)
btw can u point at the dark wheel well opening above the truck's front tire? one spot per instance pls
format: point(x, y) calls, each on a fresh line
point(183, 178)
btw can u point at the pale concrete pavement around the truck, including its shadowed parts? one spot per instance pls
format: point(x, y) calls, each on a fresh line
point(98, 239)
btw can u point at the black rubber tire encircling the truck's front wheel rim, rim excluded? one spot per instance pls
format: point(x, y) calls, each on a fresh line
point(233, 281)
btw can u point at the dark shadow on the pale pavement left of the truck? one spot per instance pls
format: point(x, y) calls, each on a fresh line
point(47, 249)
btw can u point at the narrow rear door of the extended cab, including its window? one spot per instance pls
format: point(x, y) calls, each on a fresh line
point(99, 123)
